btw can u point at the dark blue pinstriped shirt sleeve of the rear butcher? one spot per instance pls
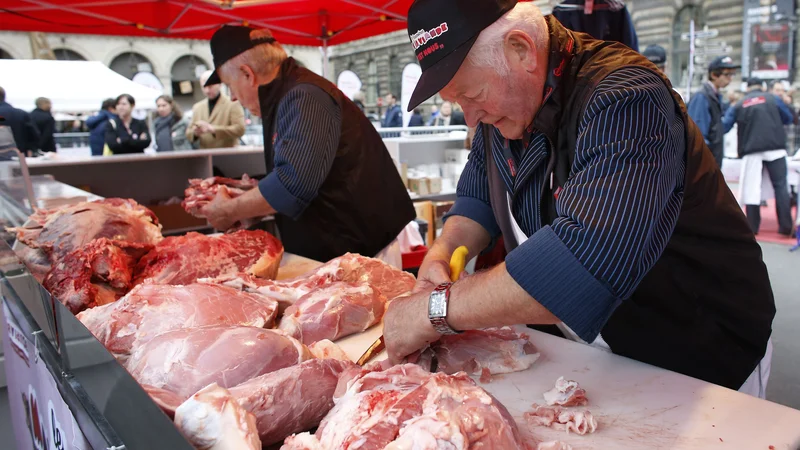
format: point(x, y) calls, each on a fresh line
point(308, 129)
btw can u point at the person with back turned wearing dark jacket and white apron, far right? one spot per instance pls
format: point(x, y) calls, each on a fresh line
point(760, 118)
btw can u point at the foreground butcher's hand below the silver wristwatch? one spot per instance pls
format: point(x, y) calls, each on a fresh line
point(406, 327)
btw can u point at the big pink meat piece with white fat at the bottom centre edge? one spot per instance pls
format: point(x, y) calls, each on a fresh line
point(406, 407)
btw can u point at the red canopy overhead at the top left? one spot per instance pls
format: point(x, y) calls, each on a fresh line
point(297, 22)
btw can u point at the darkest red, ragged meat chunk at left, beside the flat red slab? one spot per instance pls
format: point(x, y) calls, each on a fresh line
point(98, 273)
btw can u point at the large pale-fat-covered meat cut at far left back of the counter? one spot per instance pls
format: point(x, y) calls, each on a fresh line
point(53, 234)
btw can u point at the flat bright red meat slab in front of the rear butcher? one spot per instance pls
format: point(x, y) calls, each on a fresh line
point(184, 259)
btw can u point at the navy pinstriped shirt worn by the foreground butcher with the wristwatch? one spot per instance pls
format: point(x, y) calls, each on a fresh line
point(615, 213)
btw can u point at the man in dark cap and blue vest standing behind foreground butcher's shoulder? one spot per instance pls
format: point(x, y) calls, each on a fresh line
point(705, 106)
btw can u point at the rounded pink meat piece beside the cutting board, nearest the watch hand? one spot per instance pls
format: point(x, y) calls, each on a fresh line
point(334, 311)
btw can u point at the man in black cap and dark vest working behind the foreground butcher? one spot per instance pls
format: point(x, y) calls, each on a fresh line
point(330, 180)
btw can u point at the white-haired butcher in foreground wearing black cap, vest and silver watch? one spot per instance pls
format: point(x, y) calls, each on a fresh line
point(628, 237)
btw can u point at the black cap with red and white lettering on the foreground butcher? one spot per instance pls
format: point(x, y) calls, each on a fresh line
point(442, 33)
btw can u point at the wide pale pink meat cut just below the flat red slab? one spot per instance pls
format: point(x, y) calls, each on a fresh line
point(151, 309)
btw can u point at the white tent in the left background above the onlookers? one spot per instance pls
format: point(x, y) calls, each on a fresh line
point(72, 86)
